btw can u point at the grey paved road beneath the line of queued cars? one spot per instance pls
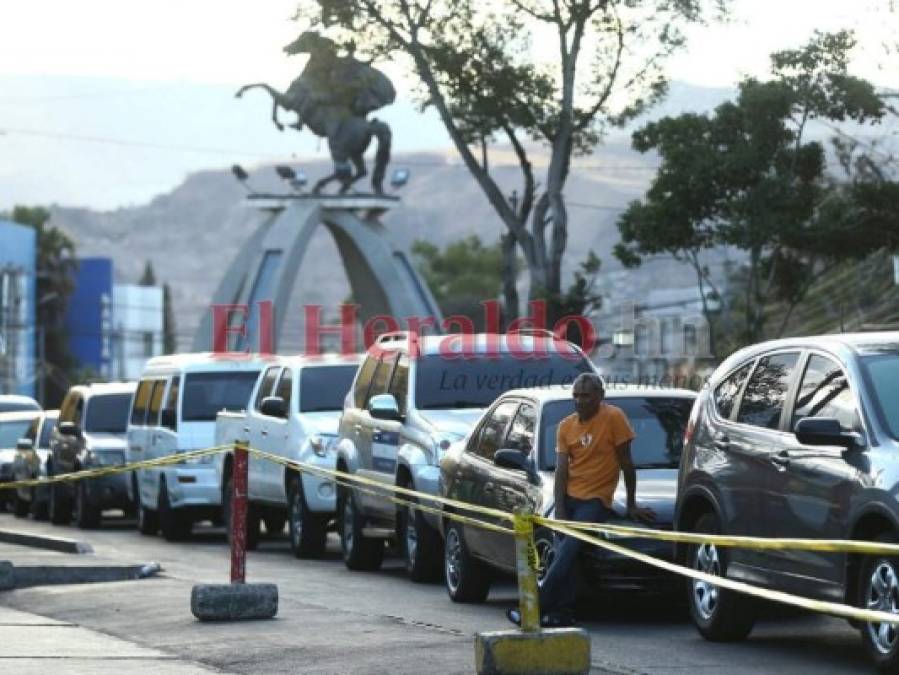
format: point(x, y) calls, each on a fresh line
point(332, 620)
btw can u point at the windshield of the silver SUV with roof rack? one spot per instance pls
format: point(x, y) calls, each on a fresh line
point(475, 383)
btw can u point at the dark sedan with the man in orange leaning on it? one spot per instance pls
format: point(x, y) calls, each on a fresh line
point(508, 462)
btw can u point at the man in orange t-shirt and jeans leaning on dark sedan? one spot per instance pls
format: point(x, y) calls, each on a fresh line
point(593, 447)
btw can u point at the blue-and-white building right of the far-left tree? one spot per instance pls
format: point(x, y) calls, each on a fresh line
point(113, 328)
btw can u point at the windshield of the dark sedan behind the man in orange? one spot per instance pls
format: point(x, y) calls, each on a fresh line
point(658, 421)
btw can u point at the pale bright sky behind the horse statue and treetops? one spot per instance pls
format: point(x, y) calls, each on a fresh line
point(107, 103)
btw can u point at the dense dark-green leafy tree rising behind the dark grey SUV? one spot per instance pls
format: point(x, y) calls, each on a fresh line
point(747, 177)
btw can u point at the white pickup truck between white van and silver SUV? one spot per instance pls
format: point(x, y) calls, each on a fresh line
point(293, 412)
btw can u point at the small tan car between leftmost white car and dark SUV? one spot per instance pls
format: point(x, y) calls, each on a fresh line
point(30, 463)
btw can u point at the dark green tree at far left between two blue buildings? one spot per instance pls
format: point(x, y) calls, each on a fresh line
point(56, 268)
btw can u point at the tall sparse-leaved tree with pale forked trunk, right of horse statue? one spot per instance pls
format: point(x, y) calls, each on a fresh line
point(474, 64)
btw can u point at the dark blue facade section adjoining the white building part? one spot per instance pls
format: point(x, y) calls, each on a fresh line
point(89, 316)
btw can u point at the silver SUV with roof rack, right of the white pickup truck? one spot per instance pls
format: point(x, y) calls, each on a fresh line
point(412, 397)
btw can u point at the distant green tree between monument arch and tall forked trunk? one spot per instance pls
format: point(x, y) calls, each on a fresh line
point(462, 275)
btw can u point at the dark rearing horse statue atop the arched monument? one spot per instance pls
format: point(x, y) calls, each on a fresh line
point(333, 97)
